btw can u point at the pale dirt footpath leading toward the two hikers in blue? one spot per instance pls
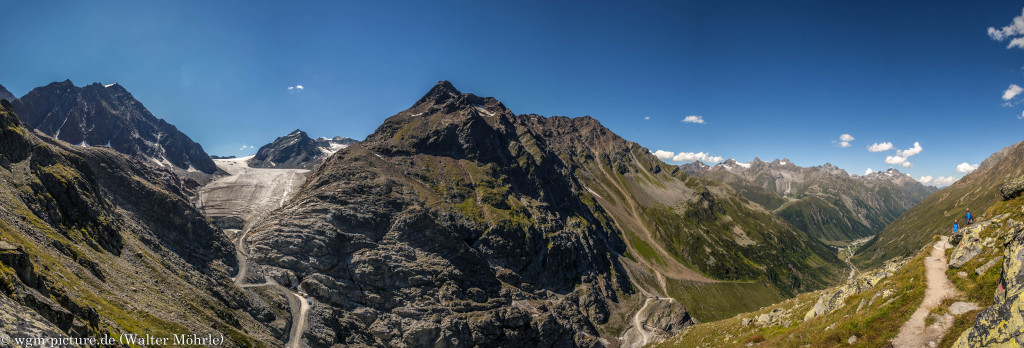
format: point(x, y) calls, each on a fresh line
point(914, 333)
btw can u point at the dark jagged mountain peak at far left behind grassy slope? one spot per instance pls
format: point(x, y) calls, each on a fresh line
point(98, 115)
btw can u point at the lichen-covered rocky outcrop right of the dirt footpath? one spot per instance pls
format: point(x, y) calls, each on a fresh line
point(1003, 324)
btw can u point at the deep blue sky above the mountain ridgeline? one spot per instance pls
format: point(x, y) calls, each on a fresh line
point(770, 80)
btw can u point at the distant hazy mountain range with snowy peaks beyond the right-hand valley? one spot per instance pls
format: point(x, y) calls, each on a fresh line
point(824, 201)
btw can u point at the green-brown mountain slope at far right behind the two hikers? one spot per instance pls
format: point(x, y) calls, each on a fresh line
point(977, 191)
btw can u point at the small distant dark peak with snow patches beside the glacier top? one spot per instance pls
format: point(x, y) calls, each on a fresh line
point(297, 151)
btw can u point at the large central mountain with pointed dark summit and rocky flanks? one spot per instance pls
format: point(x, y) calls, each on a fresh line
point(460, 224)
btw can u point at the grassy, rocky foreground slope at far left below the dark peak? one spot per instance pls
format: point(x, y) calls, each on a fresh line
point(94, 242)
